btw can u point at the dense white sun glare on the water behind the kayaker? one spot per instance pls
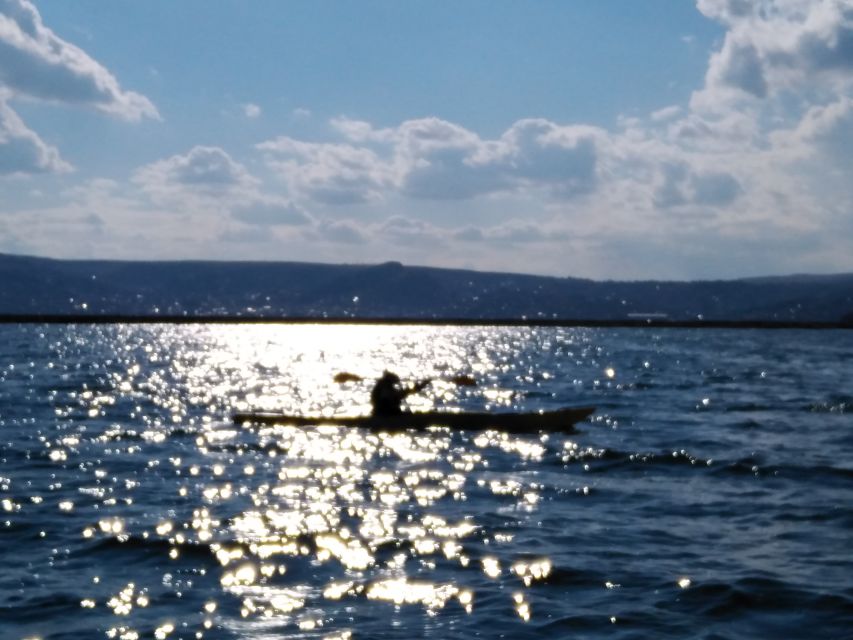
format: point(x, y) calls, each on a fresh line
point(294, 370)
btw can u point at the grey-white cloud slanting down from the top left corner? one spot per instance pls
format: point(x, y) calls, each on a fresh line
point(35, 63)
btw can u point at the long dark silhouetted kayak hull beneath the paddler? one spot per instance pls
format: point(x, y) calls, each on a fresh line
point(556, 420)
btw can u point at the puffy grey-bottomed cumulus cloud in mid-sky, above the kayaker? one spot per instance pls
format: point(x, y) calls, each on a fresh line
point(431, 158)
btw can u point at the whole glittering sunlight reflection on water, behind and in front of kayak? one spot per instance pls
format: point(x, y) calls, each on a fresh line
point(297, 519)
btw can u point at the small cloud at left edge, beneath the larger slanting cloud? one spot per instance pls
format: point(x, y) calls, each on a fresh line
point(21, 150)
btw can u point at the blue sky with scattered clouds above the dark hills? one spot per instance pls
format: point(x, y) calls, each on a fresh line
point(614, 139)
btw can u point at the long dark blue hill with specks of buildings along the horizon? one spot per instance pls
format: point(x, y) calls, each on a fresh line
point(39, 286)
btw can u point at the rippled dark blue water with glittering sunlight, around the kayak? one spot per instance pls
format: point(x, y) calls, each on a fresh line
point(709, 496)
